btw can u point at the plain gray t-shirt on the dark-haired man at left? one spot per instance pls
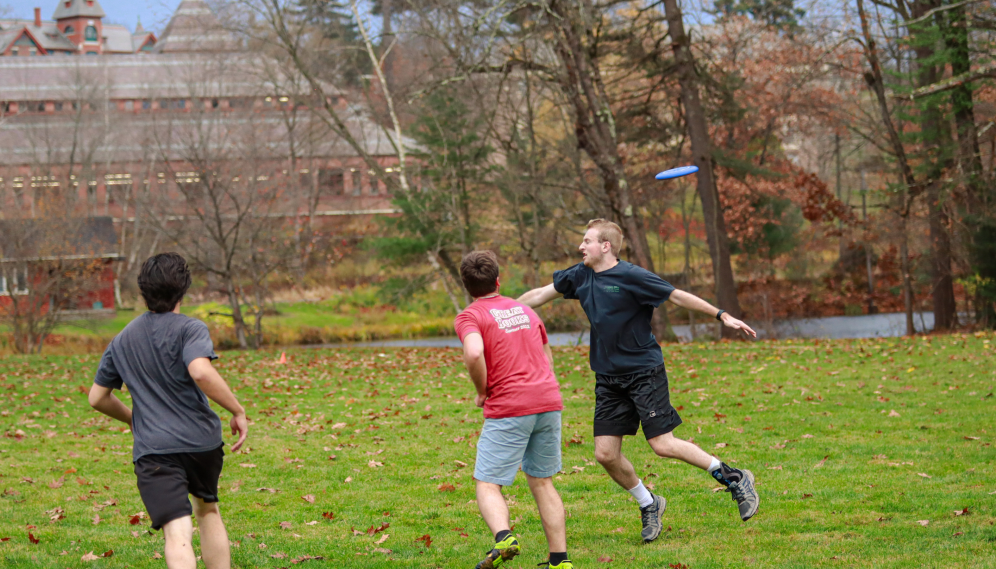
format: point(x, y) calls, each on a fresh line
point(170, 414)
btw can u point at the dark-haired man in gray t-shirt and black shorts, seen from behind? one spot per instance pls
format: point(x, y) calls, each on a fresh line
point(164, 358)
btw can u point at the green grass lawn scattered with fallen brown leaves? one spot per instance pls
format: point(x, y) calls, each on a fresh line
point(867, 453)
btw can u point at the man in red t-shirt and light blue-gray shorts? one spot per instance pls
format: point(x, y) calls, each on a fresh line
point(506, 352)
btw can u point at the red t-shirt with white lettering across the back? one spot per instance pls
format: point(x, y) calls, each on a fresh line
point(520, 380)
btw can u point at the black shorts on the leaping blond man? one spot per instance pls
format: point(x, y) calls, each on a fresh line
point(622, 402)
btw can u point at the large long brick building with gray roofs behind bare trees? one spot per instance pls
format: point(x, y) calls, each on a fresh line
point(92, 128)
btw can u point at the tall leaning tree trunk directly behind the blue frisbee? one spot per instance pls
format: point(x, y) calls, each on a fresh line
point(698, 132)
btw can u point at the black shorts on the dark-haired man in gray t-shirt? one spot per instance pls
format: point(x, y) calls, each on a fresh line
point(165, 480)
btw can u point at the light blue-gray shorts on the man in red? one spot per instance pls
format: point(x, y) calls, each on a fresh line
point(532, 441)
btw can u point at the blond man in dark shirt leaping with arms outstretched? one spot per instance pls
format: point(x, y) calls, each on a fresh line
point(631, 385)
